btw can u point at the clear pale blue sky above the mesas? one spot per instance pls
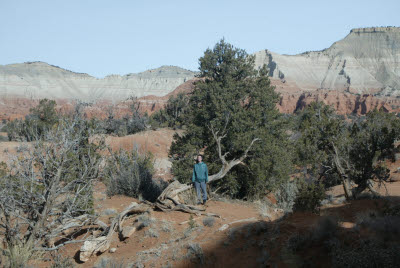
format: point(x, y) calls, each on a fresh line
point(102, 37)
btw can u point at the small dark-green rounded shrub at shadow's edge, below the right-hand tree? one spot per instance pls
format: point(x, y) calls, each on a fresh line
point(309, 196)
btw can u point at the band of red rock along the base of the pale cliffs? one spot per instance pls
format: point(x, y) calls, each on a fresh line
point(292, 99)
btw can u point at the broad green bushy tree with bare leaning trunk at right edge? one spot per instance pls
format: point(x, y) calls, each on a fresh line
point(338, 151)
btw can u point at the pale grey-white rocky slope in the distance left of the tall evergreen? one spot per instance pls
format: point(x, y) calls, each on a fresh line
point(41, 80)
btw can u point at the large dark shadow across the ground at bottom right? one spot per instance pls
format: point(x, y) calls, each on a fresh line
point(360, 233)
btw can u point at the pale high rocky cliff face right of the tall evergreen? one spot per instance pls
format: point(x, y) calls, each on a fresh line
point(366, 61)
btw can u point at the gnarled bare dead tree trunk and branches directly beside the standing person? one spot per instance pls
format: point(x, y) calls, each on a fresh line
point(169, 199)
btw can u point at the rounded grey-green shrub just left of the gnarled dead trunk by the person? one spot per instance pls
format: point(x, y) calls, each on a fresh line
point(131, 174)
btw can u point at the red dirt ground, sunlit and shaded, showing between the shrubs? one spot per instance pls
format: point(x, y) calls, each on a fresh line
point(241, 245)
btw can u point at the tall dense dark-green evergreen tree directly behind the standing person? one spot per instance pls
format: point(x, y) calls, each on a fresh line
point(232, 106)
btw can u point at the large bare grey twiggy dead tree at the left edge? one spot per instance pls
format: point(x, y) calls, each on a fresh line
point(46, 191)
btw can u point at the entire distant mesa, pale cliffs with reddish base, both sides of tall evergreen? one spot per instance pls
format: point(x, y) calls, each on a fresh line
point(355, 74)
